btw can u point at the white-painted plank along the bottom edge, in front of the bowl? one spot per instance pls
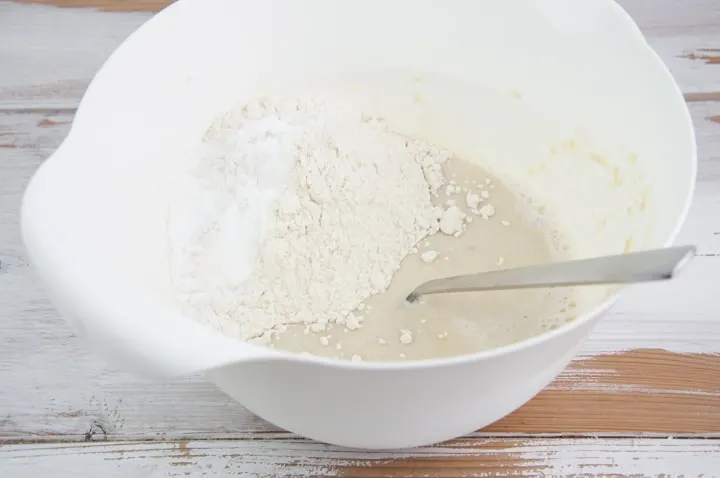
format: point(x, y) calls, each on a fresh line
point(301, 458)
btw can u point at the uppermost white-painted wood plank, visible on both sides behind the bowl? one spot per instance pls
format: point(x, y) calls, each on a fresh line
point(58, 50)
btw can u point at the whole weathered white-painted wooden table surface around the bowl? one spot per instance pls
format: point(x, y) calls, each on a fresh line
point(643, 398)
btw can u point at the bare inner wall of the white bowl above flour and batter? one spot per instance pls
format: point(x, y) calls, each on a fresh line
point(565, 102)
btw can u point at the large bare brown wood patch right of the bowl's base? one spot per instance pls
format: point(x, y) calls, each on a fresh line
point(626, 393)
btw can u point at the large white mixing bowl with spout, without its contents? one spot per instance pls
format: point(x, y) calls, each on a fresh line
point(549, 74)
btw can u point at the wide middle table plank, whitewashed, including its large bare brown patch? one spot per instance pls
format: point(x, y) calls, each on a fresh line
point(633, 387)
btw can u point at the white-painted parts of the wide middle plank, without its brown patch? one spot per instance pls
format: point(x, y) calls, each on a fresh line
point(54, 387)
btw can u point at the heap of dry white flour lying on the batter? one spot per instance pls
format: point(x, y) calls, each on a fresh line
point(295, 211)
